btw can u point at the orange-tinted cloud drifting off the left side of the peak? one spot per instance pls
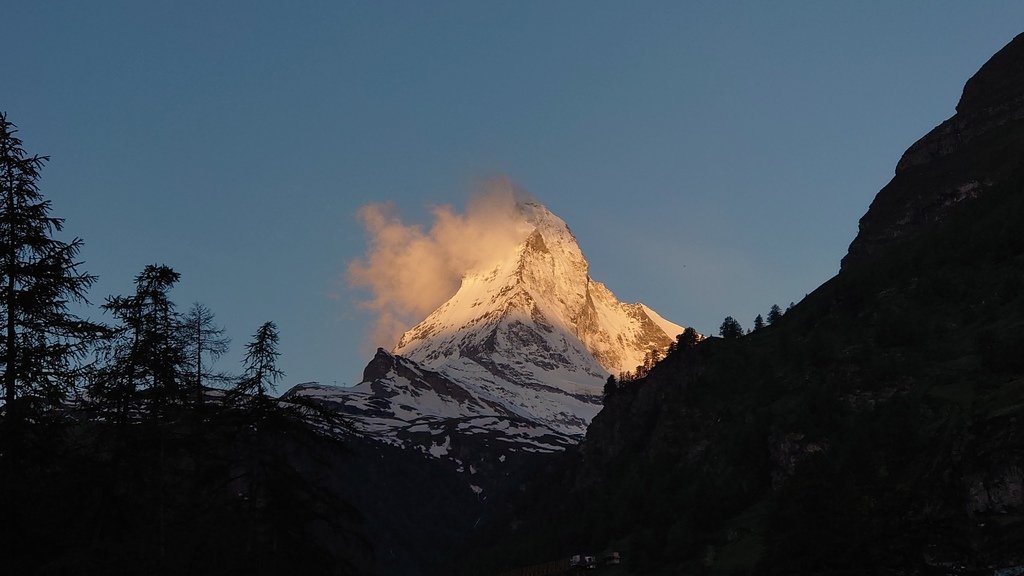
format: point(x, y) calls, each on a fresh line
point(409, 272)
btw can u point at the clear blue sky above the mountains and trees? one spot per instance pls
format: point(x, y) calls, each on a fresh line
point(712, 158)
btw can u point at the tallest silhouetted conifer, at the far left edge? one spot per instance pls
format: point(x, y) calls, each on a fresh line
point(42, 341)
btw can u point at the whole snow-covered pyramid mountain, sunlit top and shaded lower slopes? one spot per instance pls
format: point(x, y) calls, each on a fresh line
point(523, 350)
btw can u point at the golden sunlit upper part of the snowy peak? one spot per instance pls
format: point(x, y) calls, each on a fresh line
point(544, 280)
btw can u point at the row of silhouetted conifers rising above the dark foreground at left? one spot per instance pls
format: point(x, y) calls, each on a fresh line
point(153, 355)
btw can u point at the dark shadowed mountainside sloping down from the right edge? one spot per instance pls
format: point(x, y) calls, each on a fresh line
point(873, 430)
